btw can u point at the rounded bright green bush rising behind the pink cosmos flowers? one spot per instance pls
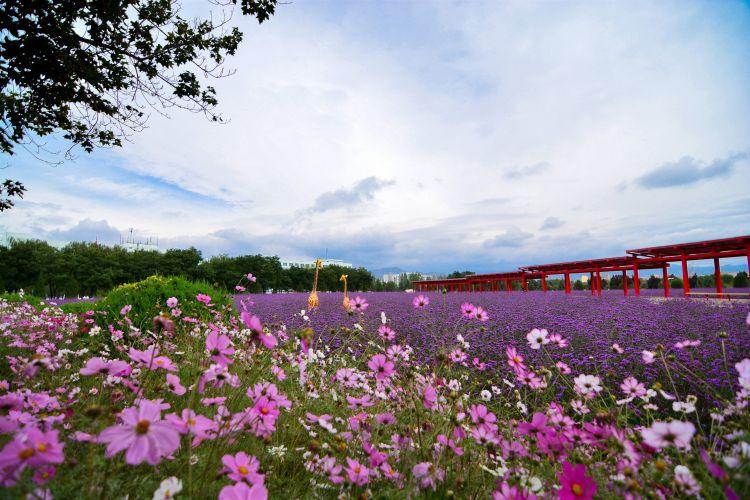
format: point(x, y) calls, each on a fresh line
point(148, 299)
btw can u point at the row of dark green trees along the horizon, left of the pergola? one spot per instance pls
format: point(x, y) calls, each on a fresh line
point(91, 269)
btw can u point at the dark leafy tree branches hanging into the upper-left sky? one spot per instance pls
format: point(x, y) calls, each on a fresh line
point(92, 70)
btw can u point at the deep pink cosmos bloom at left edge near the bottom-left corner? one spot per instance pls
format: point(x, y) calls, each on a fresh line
point(30, 447)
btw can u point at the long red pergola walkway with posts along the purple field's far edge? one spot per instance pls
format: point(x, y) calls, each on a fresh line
point(642, 258)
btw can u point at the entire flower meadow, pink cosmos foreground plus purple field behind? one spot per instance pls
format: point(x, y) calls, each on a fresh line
point(460, 395)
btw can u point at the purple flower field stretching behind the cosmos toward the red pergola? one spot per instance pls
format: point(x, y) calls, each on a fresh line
point(591, 324)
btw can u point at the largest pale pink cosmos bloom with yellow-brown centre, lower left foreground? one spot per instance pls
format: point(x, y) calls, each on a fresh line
point(143, 435)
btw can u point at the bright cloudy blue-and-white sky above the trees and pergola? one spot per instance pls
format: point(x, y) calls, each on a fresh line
point(436, 136)
